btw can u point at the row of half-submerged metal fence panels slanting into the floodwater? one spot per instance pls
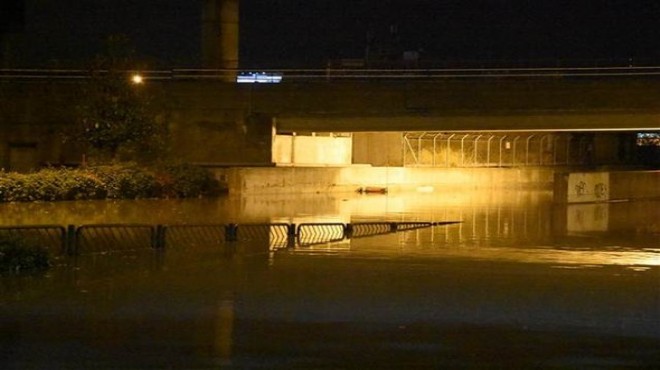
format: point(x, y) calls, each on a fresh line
point(99, 238)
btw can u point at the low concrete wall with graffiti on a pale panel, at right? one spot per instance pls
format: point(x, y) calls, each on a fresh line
point(586, 187)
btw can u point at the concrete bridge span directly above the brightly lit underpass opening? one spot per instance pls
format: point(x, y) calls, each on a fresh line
point(501, 103)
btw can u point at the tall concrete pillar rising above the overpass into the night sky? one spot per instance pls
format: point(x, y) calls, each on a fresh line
point(220, 34)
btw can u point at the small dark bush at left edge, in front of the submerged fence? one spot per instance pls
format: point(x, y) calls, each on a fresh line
point(18, 255)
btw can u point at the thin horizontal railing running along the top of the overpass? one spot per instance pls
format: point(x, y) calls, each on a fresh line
point(340, 73)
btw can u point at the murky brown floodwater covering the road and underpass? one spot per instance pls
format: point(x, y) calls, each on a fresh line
point(520, 282)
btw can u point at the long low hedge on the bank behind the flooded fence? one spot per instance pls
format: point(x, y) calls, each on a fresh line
point(117, 181)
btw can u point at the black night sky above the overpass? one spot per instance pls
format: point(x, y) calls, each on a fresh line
point(307, 33)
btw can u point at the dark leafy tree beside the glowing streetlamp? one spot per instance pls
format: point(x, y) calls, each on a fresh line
point(116, 118)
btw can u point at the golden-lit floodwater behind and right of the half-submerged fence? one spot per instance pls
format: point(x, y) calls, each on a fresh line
point(523, 226)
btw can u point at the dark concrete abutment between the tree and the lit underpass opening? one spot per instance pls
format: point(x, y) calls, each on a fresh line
point(211, 122)
